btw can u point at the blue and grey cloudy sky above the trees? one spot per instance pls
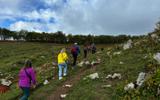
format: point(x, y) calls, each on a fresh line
point(109, 17)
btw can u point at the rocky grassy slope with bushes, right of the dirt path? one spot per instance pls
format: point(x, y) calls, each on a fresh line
point(129, 63)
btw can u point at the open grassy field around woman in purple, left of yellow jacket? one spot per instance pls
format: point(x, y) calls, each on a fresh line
point(13, 56)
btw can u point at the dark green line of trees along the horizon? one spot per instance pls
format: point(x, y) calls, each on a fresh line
point(60, 37)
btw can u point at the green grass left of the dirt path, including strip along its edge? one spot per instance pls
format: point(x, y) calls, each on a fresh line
point(12, 60)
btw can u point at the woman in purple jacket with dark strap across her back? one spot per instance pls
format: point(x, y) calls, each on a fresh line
point(27, 78)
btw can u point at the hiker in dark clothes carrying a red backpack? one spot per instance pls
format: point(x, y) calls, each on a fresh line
point(75, 50)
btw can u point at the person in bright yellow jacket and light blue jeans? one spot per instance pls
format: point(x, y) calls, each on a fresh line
point(62, 63)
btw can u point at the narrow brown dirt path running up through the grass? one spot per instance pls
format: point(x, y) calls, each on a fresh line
point(71, 81)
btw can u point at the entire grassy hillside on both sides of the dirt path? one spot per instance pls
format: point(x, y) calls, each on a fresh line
point(137, 59)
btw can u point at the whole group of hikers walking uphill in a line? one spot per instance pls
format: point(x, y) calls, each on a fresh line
point(27, 75)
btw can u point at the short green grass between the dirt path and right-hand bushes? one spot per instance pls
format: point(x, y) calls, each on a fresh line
point(134, 63)
